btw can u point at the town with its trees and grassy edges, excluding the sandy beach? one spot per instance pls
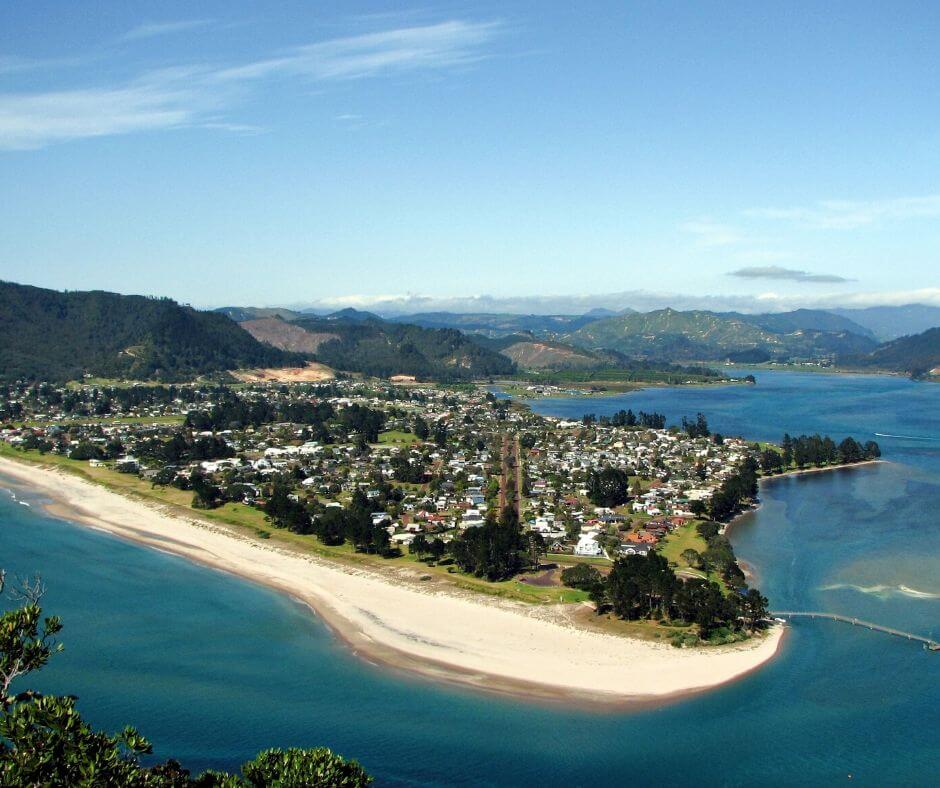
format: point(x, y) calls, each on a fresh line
point(462, 481)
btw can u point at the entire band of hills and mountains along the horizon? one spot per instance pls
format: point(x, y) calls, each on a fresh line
point(56, 336)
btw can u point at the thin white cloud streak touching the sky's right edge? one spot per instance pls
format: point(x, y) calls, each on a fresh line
point(853, 214)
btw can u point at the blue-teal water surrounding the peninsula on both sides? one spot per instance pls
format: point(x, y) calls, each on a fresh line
point(212, 668)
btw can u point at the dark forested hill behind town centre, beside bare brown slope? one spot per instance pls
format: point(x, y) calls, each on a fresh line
point(380, 348)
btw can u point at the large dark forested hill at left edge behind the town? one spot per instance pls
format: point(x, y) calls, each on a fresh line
point(48, 335)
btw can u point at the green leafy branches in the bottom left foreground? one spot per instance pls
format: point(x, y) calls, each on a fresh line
point(44, 740)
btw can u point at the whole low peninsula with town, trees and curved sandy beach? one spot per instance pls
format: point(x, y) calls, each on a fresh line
point(439, 529)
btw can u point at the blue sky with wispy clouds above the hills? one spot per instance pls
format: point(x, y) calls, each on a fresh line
point(546, 156)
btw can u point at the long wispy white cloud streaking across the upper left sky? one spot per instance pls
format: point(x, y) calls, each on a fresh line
point(186, 96)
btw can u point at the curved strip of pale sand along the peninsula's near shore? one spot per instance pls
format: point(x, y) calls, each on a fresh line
point(532, 652)
